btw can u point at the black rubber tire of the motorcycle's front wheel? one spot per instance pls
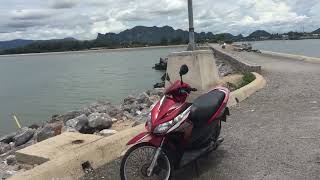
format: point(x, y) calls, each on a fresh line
point(135, 147)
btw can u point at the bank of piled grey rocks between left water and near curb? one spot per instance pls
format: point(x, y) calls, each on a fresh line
point(100, 118)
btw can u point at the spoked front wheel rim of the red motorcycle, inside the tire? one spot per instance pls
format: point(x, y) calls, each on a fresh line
point(139, 160)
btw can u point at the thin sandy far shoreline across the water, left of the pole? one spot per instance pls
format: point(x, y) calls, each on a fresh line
point(94, 51)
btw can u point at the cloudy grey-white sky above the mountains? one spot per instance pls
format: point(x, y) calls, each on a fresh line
point(84, 19)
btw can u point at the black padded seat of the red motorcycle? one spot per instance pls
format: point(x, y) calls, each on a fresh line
point(205, 106)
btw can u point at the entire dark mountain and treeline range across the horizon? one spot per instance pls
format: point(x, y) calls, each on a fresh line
point(137, 37)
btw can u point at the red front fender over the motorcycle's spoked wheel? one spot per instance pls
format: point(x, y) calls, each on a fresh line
point(146, 137)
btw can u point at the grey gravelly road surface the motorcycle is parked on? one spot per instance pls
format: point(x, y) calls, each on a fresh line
point(275, 134)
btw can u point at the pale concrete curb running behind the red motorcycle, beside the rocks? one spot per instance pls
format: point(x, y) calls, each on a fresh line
point(102, 151)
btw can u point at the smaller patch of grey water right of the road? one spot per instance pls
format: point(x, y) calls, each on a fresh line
point(308, 47)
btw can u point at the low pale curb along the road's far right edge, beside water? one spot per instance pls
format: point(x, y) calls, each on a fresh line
point(292, 56)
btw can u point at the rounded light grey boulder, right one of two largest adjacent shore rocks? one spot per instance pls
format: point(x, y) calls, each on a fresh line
point(100, 121)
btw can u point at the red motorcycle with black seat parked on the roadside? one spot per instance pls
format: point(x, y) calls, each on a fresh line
point(177, 133)
